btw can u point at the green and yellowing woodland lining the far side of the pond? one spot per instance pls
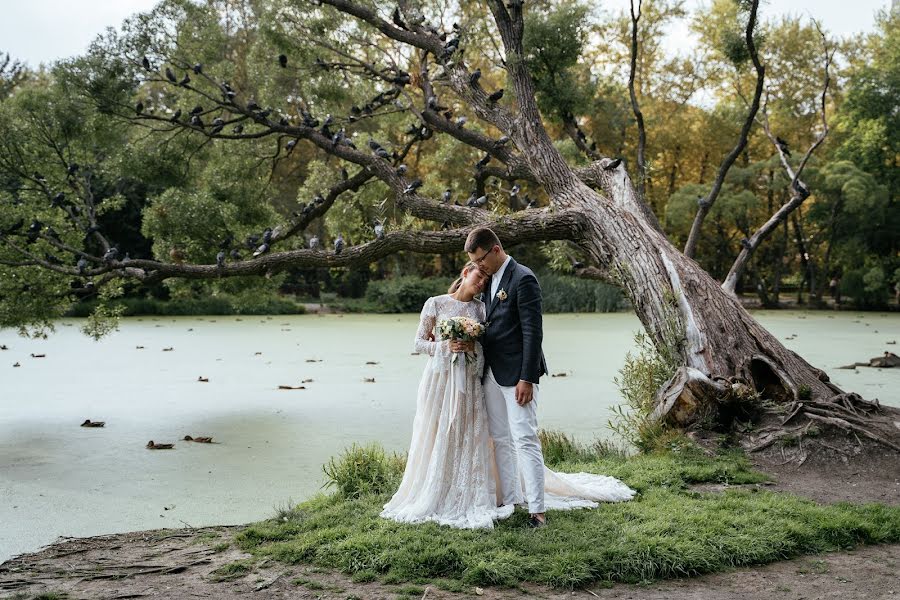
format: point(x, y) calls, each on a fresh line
point(177, 196)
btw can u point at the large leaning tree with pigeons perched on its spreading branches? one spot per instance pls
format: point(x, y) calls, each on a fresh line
point(395, 77)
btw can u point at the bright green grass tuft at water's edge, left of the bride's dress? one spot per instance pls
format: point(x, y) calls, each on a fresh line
point(364, 470)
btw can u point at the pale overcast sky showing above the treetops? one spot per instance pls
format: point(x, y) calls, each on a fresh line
point(41, 31)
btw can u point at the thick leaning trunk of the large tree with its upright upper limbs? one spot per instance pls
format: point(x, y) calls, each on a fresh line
point(677, 301)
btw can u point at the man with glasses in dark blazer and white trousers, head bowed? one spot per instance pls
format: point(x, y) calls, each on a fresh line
point(514, 364)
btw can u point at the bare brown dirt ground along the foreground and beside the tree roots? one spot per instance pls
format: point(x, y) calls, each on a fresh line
point(188, 563)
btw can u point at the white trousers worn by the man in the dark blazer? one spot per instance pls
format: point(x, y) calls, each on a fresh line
point(520, 461)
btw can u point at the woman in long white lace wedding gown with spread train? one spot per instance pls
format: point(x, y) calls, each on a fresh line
point(451, 476)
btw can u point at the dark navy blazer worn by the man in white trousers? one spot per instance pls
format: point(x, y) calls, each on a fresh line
point(512, 341)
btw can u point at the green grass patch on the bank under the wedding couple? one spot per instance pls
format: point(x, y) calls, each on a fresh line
point(667, 531)
